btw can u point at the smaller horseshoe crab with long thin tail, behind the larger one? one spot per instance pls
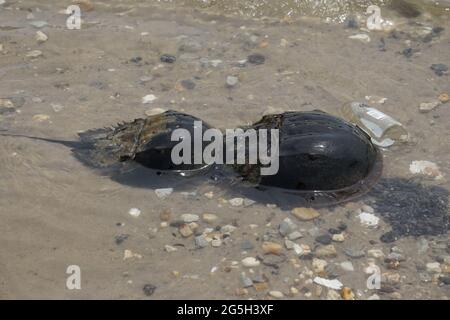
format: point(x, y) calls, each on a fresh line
point(145, 141)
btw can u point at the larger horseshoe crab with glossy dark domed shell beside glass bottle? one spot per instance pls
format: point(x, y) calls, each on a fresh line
point(320, 156)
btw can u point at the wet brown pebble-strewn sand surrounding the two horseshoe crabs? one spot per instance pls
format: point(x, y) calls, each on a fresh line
point(56, 212)
